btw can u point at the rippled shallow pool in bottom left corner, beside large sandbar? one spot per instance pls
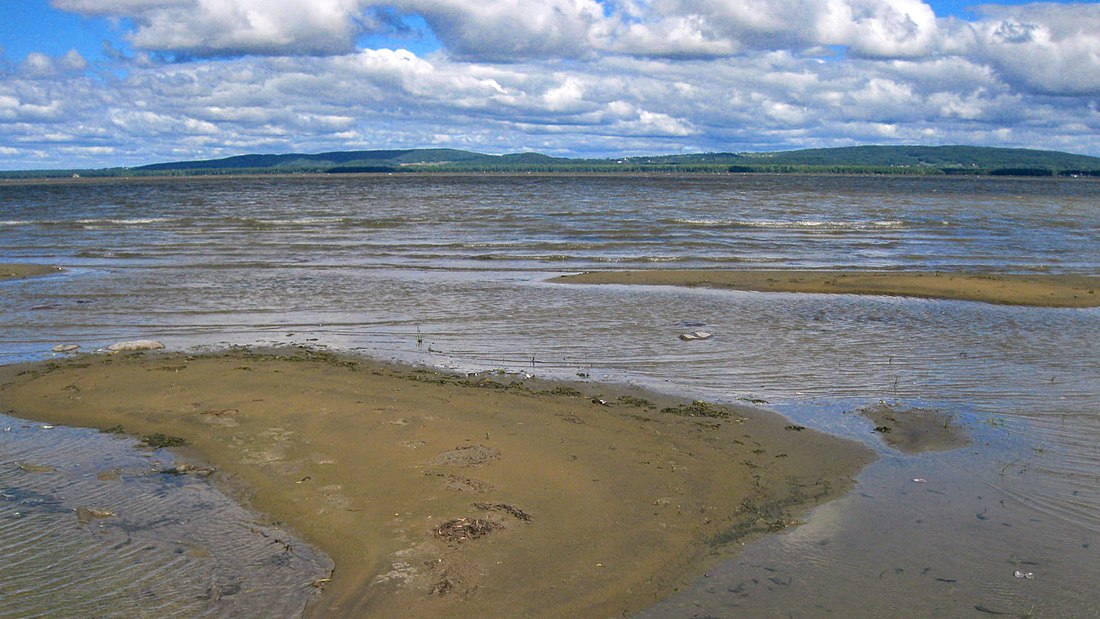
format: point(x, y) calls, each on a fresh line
point(91, 527)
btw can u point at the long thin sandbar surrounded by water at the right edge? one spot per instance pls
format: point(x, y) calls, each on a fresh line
point(1040, 291)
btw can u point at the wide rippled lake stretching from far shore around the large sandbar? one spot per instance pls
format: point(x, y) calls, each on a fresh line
point(368, 264)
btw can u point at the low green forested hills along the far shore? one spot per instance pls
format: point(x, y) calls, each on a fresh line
point(855, 160)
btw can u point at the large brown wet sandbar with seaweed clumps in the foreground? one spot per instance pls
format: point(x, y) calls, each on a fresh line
point(453, 496)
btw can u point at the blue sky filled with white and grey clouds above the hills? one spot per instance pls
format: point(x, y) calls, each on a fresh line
point(93, 84)
